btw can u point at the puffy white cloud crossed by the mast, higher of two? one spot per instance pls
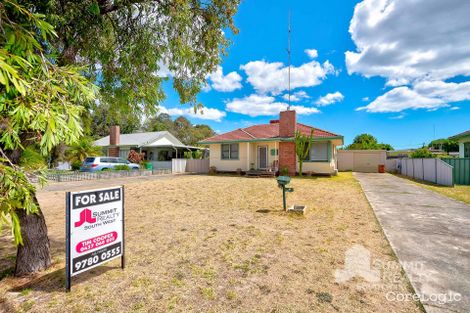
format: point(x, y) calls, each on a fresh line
point(273, 77)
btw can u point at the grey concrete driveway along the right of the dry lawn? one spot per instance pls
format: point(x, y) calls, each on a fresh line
point(430, 234)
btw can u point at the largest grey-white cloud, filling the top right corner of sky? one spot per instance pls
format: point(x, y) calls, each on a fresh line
point(410, 39)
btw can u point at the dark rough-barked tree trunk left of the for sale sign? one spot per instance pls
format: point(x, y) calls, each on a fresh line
point(34, 255)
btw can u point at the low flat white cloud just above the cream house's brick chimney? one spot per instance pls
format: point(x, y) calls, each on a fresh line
point(257, 105)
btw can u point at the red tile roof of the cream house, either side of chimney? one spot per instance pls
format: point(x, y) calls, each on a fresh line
point(265, 131)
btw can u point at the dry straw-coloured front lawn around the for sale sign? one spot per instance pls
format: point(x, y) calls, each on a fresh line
point(220, 244)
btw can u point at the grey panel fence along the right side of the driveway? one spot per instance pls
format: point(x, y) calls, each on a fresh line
point(431, 170)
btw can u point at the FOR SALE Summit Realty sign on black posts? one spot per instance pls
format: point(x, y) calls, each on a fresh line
point(95, 229)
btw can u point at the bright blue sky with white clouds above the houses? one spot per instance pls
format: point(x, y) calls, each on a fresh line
point(405, 64)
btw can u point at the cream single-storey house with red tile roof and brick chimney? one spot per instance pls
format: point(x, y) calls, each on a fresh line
point(271, 147)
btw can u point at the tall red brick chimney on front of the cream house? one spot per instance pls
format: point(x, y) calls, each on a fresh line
point(287, 127)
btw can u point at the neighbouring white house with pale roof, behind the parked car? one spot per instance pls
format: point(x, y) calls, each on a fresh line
point(159, 148)
